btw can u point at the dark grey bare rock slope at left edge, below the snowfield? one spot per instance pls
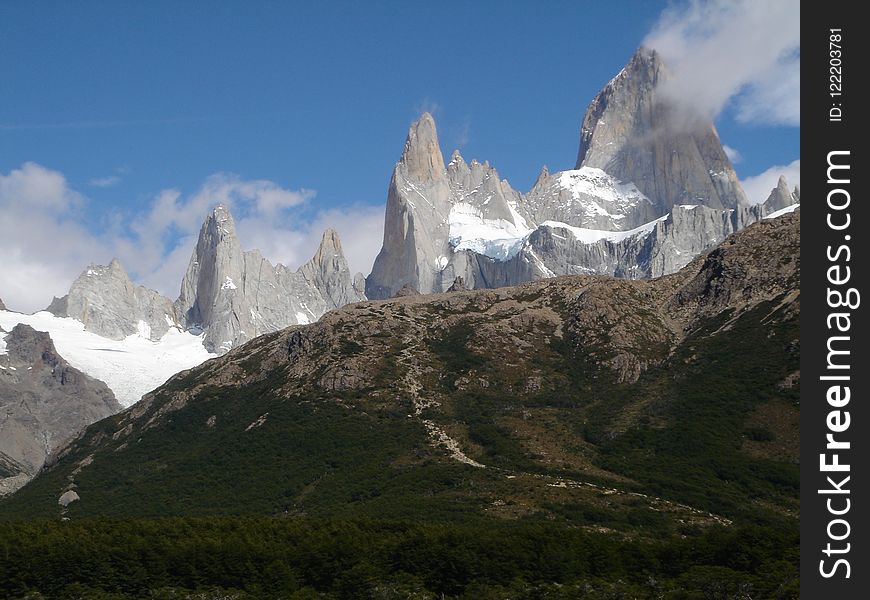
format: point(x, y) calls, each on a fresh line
point(44, 402)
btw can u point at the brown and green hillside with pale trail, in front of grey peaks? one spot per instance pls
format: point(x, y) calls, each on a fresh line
point(563, 399)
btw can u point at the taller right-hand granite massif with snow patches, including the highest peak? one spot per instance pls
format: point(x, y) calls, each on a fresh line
point(651, 190)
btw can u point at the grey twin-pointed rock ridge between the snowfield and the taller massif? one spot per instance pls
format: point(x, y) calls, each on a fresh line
point(234, 295)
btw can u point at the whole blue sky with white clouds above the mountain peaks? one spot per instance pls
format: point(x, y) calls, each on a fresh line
point(122, 123)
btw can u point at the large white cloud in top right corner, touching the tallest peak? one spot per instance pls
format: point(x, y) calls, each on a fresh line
point(743, 52)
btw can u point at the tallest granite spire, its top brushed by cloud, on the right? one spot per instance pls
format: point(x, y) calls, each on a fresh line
point(636, 134)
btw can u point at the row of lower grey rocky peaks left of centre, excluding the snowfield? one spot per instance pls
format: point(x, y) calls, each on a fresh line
point(230, 294)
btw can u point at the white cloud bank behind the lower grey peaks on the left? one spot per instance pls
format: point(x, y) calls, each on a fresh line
point(46, 245)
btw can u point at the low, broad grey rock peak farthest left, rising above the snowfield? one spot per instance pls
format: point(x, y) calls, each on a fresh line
point(110, 305)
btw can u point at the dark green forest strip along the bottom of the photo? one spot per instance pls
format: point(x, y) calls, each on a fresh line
point(305, 558)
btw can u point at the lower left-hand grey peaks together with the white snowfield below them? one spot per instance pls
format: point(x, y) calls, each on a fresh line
point(134, 339)
